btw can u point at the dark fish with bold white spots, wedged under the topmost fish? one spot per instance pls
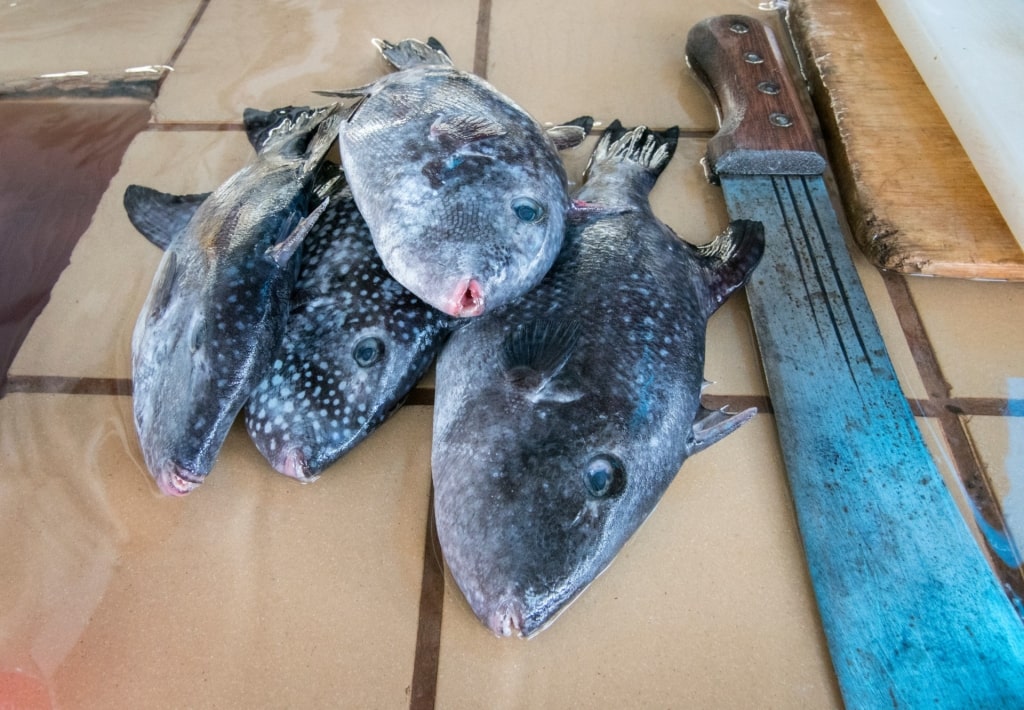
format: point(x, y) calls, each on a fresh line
point(356, 345)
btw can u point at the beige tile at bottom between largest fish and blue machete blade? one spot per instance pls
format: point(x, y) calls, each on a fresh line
point(709, 606)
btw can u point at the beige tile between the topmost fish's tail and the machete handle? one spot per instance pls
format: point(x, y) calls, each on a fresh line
point(587, 60)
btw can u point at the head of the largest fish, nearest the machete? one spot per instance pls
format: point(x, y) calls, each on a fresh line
point(529, 515)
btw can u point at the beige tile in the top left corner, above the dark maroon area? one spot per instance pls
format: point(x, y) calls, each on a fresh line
point(101, 37)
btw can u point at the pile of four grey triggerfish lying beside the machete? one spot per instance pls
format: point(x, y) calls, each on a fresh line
point(569, 330)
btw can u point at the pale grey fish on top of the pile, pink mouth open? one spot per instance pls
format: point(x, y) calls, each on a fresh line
point(464, 192)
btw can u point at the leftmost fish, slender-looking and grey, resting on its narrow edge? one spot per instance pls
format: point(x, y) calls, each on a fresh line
point(218, 307)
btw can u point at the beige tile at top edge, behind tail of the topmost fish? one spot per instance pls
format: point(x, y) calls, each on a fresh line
point(284, 52)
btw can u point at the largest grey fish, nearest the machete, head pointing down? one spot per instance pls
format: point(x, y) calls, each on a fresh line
point(562, 420)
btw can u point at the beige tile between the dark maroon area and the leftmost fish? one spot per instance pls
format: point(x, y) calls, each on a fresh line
point(86, 330)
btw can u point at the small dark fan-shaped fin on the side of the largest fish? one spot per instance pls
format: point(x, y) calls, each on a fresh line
point(535, 353)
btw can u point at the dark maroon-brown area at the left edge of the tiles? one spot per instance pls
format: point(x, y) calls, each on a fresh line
point(58, 157)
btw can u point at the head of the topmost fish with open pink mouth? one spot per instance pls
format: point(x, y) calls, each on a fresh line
point(478, 226)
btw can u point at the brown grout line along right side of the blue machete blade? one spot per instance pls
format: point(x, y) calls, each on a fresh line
point(951, 419)
